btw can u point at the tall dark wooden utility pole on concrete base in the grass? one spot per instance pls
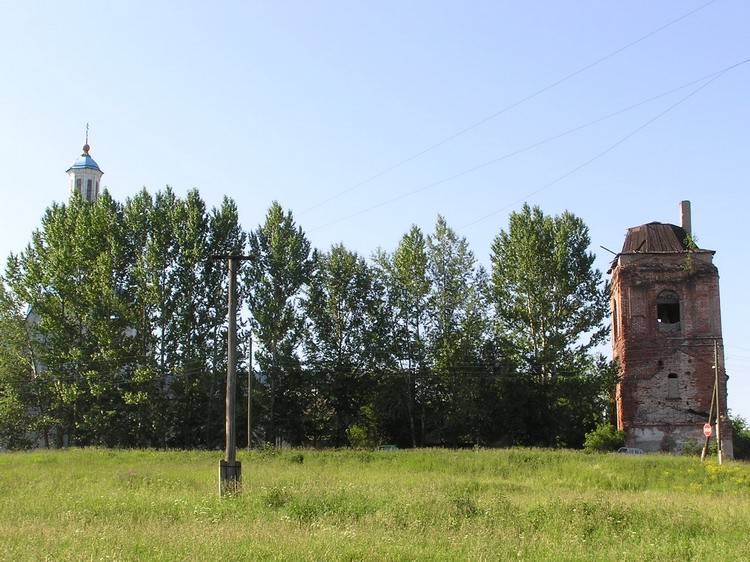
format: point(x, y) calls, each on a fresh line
point(230, 469)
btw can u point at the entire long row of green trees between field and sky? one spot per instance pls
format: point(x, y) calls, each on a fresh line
point(113, 327)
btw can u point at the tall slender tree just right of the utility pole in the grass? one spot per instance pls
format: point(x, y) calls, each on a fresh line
point(280, 268)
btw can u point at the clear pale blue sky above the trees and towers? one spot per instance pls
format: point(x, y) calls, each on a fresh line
point(367, 117)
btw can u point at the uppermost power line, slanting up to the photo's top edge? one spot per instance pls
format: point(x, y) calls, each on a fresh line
point(507, 108)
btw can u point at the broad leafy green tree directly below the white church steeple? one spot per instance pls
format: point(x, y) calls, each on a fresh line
point(72, 276)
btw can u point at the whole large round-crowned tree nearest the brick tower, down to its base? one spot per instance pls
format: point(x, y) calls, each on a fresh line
point(549, 305)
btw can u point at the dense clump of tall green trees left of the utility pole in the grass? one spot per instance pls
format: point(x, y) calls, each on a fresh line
point(125, 325)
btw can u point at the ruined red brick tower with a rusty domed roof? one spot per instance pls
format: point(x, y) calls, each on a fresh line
point(666, 331)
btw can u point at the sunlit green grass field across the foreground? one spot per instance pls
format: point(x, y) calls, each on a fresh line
point(512, 504)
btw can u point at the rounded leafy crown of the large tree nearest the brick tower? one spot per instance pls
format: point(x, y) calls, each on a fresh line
point(548, 299)
